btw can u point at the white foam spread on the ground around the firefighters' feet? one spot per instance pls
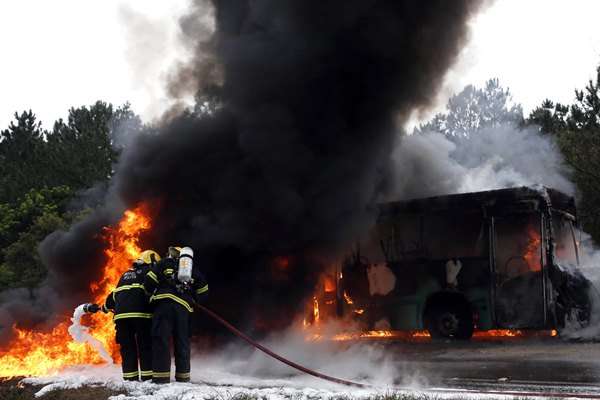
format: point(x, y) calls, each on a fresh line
point(209, 383)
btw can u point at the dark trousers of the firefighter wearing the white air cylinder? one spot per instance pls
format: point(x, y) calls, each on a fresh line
point(170, 320)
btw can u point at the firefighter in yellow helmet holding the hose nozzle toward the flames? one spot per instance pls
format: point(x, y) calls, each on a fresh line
point(133, 319)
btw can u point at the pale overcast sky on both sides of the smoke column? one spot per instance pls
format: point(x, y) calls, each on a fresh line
point(63, 53)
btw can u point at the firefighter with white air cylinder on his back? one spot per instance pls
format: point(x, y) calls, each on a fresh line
point(175, 284)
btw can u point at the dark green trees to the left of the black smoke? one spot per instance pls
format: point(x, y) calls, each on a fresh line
point(42, 171)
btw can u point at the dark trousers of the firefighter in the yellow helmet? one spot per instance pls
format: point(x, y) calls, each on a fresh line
point(135, 342)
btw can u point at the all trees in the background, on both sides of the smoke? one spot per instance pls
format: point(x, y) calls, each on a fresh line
point(43, 172)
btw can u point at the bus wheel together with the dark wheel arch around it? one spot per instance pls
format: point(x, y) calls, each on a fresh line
point(448, 315)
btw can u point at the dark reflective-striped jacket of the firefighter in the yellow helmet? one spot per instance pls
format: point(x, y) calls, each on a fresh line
point(129, 299)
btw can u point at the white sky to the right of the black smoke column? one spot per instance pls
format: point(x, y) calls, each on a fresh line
point(537, 48)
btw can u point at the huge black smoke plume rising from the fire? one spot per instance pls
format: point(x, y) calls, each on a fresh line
point(288, 164)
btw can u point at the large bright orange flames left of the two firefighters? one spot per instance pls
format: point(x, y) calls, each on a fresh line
point(33, 353)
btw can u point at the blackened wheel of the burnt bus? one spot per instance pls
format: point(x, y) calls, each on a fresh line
point(449, 320)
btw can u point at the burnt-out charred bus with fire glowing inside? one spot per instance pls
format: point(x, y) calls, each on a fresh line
point(450, 264)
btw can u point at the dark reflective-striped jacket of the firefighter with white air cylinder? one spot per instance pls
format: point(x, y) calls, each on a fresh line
point(161, 282)
